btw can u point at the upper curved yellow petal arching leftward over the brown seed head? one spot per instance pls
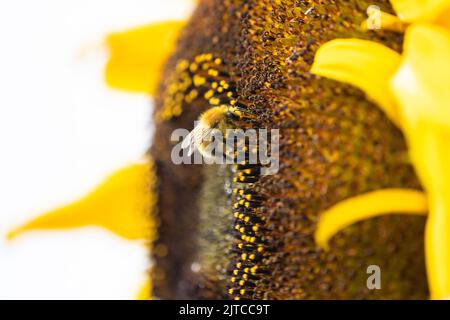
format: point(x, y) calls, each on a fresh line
point(364, 64)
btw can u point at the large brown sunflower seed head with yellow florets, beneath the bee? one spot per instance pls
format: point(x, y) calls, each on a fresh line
point(229, 232)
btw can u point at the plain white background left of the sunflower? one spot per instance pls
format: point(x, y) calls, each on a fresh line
point(61, 132)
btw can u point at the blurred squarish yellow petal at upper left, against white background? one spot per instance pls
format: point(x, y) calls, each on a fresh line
point(138, 55)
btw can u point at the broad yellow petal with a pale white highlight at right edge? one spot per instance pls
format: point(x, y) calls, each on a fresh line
point(421, 85)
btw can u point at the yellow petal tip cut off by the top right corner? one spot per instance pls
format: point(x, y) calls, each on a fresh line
point(420, 10)
